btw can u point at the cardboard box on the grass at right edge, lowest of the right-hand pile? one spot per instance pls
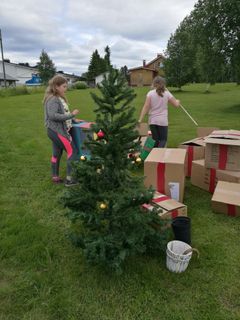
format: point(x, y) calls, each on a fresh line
point(226, 198)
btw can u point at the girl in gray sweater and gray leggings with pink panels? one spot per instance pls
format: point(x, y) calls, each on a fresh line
point(58, 120)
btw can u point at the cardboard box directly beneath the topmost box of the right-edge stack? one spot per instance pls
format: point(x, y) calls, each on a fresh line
point(207, 178)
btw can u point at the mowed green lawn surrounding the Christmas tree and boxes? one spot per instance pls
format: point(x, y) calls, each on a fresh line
point(42, 276)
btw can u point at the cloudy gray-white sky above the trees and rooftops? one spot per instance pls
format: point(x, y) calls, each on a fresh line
point(70, 30)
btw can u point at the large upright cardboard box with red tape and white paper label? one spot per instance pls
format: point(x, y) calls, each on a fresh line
point(164, 171)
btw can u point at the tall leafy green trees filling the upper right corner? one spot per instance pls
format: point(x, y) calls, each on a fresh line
point(206, 45)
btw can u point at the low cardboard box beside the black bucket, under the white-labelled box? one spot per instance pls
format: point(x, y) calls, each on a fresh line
point(169, 208)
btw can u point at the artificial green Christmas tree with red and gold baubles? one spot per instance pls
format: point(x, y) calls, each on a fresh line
point(105, 207)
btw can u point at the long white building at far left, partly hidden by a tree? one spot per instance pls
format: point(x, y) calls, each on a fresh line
point(25, 75)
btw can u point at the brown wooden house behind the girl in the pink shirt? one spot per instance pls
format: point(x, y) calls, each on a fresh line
point(144, 75)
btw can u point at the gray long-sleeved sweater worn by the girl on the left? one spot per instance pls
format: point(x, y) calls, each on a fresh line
point(55, 117)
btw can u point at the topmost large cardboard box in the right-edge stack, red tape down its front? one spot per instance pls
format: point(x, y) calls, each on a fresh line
point(222, 150)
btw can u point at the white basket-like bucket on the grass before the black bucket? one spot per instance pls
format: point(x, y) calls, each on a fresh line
point(178, 256)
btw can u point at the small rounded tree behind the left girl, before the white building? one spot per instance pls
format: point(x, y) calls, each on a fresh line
point(46, 68)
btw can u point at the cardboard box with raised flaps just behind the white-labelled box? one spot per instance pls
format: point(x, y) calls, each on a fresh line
point(195, 150)
